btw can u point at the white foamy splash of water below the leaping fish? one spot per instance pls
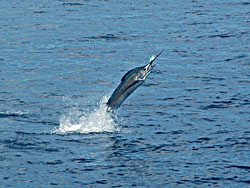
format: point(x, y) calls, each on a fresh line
point(98, 120)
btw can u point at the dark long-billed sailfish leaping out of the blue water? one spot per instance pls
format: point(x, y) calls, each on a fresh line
point(129, 83)
